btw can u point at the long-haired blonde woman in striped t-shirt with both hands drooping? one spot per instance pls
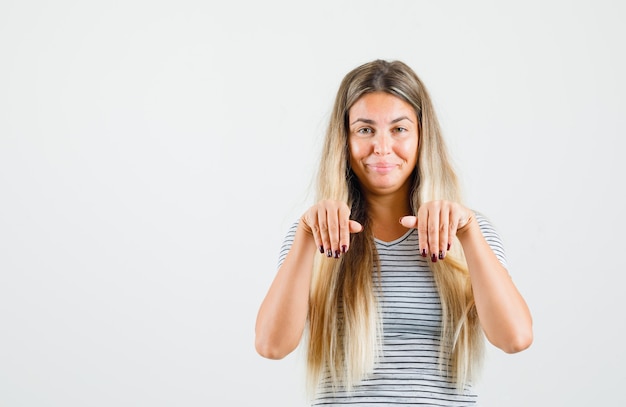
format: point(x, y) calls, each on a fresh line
point(407, 281)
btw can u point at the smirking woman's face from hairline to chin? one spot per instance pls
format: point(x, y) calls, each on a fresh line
point(383, 141)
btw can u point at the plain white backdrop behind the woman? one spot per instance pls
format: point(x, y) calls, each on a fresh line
point(154, 153)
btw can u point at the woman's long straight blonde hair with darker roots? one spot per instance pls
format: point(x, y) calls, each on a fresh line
point(344, 322)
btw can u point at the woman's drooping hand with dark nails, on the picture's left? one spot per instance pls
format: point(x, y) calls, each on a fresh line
point(330, 225)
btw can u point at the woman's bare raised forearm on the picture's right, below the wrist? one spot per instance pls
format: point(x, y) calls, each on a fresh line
point(503, 313)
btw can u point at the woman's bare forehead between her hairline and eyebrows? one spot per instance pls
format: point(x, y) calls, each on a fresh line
point(380, 107)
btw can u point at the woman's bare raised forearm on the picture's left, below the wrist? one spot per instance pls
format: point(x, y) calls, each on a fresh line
point(282, 315)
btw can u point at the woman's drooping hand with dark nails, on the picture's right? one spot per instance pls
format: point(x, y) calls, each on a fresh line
point(437, 223)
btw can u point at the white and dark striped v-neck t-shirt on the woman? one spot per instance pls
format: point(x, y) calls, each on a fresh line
point(408, 372)
